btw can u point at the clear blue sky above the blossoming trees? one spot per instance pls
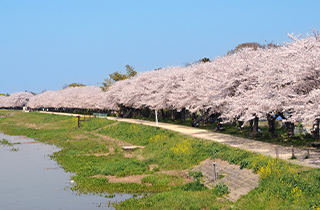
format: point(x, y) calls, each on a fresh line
point(47, 44)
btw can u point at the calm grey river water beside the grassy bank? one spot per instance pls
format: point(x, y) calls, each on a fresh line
point(29, 179)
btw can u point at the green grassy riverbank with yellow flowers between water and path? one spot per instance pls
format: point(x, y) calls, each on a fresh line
point(94, 153)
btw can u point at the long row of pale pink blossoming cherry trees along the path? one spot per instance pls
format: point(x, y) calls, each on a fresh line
point(247, 85)
